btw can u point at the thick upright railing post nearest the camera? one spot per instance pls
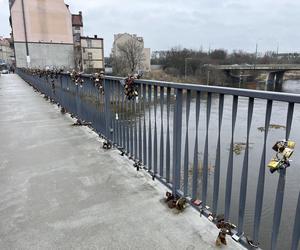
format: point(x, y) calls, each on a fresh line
point(177, 130)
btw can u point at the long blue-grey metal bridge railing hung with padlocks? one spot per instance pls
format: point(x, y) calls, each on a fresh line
point(186, 135)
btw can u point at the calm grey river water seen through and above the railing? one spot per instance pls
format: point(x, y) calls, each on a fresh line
point(256, 143)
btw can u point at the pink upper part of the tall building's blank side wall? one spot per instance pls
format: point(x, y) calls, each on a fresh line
point(46, 21)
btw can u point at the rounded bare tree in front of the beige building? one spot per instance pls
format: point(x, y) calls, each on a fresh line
point(132, 53)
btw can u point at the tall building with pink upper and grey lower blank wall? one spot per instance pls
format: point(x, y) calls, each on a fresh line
point(42, 33)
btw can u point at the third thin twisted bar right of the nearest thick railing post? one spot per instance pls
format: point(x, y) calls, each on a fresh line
point(205, 158)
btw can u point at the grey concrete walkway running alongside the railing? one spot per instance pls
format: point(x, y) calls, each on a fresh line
point(60, 190)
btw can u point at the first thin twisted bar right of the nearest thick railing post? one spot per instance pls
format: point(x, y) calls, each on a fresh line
point(186, 151)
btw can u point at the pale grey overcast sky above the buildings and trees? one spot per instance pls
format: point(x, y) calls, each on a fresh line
point(228, 24)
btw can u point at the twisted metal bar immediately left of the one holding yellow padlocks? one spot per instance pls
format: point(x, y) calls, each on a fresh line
point(261, 177)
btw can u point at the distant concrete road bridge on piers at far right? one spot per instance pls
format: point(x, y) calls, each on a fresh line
point(275, 71)
